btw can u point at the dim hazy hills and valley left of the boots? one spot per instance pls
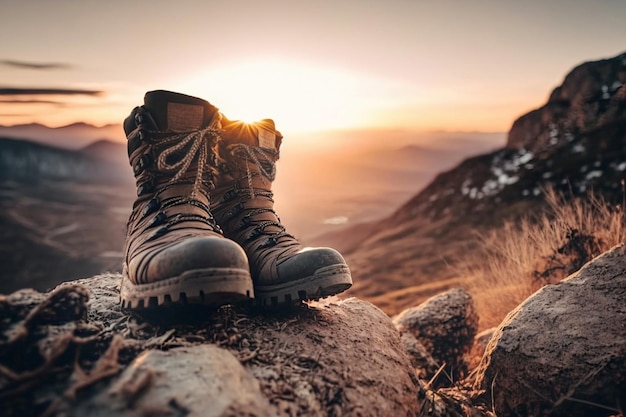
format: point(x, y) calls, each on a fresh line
point(62, 212)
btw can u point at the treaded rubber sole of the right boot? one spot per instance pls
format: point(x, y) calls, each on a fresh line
point(327, 281)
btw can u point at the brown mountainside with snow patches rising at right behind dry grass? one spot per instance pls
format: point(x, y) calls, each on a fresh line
point(575, 143)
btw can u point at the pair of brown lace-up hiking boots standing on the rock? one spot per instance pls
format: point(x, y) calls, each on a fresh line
point(203, 228)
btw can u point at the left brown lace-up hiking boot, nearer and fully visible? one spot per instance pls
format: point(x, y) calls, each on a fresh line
point(175, 251)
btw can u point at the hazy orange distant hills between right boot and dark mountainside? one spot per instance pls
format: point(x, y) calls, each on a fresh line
point(356, 176)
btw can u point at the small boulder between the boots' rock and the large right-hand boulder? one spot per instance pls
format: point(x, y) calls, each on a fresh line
point(445, 325)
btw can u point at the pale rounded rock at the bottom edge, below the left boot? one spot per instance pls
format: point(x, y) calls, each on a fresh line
point(202, 380)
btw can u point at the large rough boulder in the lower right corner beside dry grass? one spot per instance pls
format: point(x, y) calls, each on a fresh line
point(563, 351)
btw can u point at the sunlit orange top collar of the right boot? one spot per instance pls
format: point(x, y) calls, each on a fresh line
point(261, 134)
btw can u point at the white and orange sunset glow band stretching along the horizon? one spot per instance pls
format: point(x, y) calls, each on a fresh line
point(299, 97)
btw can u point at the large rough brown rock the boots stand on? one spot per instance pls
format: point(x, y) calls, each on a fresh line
point(62, 355)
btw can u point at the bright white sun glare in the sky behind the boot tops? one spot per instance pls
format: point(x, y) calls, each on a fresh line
point(298, 97)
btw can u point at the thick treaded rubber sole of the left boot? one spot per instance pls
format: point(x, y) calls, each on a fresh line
point(216, 286)
